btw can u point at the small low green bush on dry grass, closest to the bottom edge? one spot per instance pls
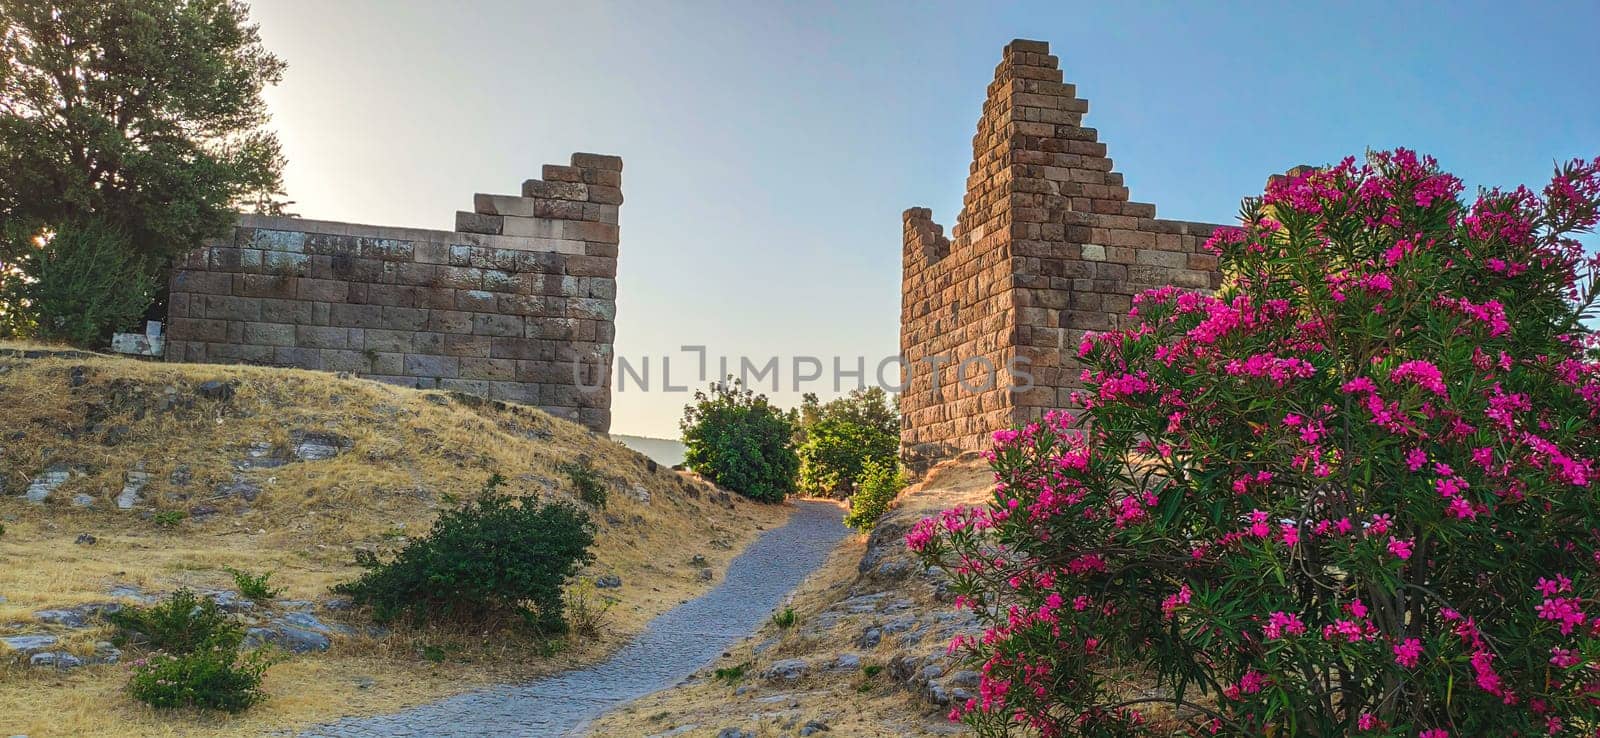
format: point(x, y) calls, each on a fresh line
point(214, 678)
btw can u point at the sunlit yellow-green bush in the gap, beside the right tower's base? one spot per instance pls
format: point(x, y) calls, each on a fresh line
point(841, 436)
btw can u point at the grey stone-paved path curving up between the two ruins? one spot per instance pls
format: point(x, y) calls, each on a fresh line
point(673, 648)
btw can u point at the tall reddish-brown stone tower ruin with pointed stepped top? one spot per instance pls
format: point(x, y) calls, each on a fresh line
point(1047, 247)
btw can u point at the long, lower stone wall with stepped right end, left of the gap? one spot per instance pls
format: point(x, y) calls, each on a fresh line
point(518, 305)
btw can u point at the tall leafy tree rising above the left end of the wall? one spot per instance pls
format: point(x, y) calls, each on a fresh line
point(145, 116)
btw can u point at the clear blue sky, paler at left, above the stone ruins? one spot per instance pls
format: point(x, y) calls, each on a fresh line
point(770, 148)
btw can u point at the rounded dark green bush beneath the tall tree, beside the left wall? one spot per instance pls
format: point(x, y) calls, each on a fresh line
point(81, 287)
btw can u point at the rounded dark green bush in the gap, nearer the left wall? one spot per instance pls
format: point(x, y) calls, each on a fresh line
point(738, 441)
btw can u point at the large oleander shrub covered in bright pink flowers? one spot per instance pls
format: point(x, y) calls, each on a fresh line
point(1351, 494)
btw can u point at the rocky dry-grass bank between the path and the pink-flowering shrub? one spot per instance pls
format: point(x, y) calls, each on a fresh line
point(865, 657)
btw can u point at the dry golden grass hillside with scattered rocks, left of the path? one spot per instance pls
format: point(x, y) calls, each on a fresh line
point(292, 473)
